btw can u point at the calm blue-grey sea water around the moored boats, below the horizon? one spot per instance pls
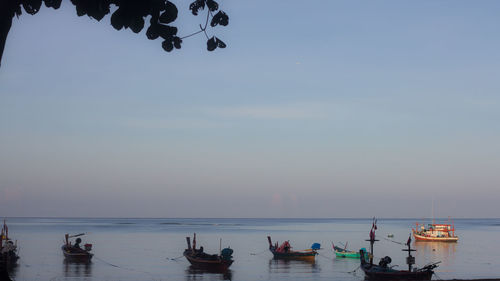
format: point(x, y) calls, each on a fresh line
point(149, 249)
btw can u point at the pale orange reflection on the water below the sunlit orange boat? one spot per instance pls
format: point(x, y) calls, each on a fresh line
point(436, 251)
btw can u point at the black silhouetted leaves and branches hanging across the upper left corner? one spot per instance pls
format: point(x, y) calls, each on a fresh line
point(129, 14)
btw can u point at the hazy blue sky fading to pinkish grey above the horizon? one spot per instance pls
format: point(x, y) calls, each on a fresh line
point(324, 109)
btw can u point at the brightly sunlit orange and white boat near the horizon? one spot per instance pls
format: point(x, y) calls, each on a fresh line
point(435, 232)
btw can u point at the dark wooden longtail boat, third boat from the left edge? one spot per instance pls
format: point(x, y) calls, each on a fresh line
point(199, 259)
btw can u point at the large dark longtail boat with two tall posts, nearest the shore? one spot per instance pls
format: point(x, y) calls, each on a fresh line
point(383, 271)
